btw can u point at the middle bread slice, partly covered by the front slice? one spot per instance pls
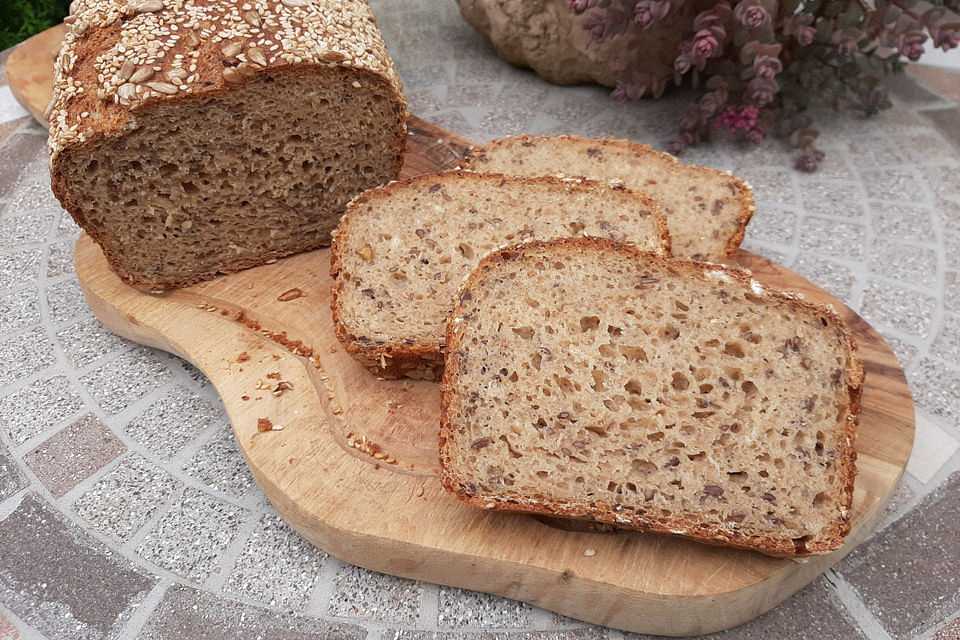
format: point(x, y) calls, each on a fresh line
point(401, 251)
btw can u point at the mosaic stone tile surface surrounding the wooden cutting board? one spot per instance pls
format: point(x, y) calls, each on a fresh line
point(125, 508)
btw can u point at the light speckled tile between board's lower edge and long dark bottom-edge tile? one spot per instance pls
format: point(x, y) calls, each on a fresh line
point(277, 566)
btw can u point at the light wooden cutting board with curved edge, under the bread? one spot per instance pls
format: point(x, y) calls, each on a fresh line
point(353, 467)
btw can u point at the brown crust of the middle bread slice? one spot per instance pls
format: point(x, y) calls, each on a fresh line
point(425, 360)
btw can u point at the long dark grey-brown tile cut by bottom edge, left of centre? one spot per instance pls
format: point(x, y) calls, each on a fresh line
point(188, 614)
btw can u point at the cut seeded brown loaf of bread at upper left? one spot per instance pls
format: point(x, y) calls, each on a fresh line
point(191, 138)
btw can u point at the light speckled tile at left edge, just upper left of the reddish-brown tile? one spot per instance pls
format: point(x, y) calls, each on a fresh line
point(37, 407)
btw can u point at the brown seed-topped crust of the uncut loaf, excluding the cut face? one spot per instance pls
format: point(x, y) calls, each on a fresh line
point(79, 121)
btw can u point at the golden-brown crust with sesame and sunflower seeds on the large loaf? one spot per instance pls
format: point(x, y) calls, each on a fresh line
point(90, 105)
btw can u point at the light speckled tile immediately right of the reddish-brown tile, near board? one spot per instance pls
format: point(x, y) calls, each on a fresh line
point(171, 422)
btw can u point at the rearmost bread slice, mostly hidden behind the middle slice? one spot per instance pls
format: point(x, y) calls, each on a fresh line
point(707, 210)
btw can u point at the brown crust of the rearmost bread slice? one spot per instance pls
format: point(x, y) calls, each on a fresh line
point(747, 206)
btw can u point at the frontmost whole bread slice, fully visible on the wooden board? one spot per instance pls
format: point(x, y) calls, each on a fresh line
point(586, 378)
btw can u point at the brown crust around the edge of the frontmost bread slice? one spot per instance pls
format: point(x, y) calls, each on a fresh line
point(640, 521)
